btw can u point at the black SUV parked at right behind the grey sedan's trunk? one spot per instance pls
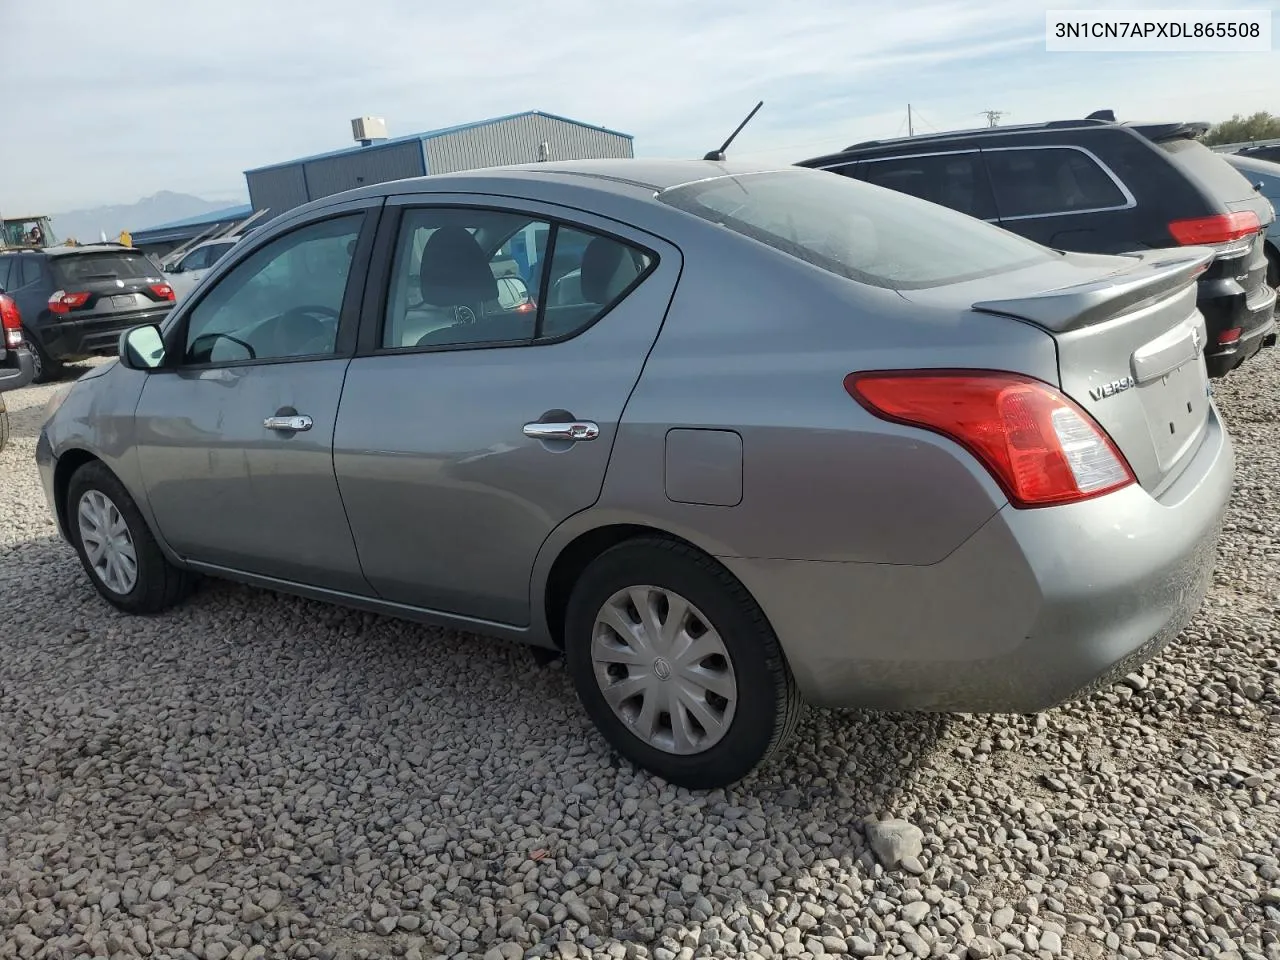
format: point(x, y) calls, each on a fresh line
point(1096, 186)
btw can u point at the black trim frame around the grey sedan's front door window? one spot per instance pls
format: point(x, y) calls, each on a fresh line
point(349, 314)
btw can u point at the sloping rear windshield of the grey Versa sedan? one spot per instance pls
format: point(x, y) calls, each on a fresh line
point(857, 231)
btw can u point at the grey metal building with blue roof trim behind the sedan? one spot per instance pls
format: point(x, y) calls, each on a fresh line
point(518, 139)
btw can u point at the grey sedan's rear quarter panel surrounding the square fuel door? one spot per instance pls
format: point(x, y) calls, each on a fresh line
point(760, 344)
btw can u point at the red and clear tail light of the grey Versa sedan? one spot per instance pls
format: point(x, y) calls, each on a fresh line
point(1040, 447)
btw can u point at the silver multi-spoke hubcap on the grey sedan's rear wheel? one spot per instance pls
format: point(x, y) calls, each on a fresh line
point(664, 670)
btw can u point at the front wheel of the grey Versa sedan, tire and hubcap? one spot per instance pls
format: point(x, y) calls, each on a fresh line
point(157, 586)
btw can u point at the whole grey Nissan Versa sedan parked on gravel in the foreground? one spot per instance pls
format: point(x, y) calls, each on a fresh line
point(784, 438)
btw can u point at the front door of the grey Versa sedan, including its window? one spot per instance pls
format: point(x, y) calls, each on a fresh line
point(236, 441)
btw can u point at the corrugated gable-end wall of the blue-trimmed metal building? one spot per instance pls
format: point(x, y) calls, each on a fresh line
point(516, 141)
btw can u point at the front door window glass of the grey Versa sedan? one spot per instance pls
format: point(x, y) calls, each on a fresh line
point(282, 301)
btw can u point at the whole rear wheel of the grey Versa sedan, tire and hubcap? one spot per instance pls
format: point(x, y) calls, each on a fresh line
point(721, 616)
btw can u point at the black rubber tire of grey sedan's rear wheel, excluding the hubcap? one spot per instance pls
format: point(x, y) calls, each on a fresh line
point(740, 625)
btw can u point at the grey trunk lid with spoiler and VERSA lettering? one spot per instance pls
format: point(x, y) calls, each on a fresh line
point(1130, 344)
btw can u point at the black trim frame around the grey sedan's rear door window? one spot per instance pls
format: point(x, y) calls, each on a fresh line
point(378, 286)
